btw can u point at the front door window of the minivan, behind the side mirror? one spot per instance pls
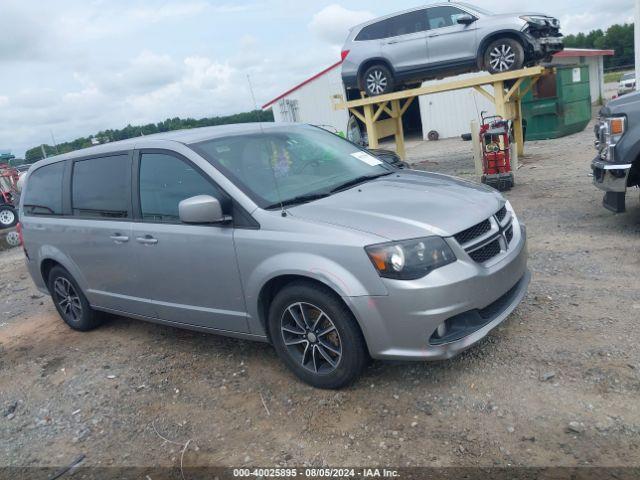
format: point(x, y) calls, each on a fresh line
point(166, 180)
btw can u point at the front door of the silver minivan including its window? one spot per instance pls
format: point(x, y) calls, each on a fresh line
point(189, 272)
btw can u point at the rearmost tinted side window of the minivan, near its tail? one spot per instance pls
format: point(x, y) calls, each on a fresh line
point(43, 194)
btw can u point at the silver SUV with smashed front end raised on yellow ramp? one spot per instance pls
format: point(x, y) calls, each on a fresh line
point(444, 39)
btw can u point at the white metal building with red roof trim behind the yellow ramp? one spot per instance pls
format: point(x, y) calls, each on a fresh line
point(448, 113)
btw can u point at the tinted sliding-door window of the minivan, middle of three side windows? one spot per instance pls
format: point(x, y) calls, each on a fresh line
point(101, 187)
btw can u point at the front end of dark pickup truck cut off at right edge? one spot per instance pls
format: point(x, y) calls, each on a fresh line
point(617, 165)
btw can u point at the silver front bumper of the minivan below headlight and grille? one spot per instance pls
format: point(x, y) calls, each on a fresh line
point(400, 325)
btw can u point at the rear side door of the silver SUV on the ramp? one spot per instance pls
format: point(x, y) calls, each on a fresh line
point(405, 45)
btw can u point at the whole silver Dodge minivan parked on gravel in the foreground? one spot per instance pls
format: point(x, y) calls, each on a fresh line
point(278, 233)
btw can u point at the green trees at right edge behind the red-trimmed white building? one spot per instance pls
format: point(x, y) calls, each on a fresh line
point(617, 37)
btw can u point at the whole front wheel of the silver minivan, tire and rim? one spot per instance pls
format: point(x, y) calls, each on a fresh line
point(311, 366)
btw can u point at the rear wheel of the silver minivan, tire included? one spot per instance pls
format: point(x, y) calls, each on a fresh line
point(71, 303)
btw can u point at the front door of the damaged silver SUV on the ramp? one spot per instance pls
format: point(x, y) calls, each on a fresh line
point(448, 41)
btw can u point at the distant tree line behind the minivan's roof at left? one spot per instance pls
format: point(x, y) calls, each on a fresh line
point(112, 135)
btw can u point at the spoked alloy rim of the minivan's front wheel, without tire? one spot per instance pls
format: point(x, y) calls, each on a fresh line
point(311, 338)
